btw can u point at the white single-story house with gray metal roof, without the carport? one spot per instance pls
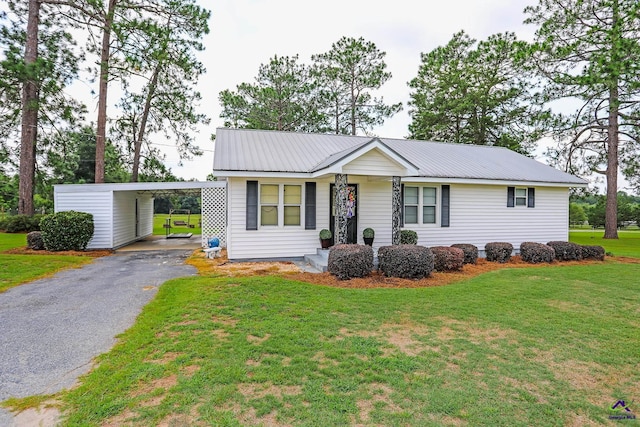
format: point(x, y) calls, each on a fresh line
point(284, 187)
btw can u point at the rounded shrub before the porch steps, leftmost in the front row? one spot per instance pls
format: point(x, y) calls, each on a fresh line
point(350, 261)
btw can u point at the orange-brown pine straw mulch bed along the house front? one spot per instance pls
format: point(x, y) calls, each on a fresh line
point(222, 267)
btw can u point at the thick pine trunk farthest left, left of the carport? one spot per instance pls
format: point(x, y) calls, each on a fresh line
point(29, 114)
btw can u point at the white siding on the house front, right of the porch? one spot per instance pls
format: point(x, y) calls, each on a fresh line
point(479, 214)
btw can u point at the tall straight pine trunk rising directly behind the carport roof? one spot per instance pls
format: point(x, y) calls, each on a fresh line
point(101, 133)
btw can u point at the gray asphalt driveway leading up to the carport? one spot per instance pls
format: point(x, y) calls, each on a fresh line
point(51, 329)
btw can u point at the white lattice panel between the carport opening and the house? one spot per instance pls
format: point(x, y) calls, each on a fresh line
point(214, 215)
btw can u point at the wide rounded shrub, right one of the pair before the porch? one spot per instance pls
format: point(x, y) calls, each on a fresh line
point(407, 261)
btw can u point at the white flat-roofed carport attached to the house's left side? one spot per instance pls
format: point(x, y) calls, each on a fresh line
point(123, 213)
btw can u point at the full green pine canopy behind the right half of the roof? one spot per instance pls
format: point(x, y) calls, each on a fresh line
point(476, 93)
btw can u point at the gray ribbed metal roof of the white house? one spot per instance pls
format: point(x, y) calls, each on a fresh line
point(289, 152)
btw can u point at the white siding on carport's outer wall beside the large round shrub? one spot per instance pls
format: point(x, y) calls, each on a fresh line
point(97, 203)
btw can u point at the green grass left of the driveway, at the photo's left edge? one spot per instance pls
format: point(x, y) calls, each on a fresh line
point(18, 269)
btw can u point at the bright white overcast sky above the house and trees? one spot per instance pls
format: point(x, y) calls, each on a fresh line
point(246, 33)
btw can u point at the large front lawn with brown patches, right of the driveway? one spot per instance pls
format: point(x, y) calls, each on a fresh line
point(532, 346)
